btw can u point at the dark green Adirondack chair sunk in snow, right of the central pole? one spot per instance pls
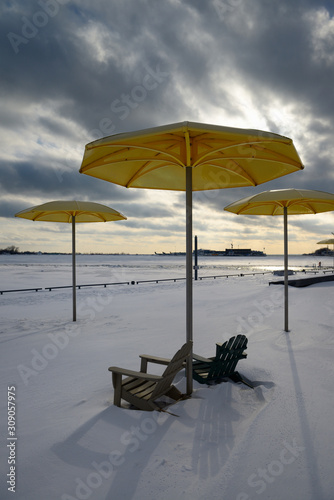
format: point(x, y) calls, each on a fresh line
point(214, 370)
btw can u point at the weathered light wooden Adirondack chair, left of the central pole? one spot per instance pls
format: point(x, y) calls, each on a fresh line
point(142, 389)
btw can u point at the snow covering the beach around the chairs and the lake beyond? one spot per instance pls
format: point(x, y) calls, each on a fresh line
point(227, 442)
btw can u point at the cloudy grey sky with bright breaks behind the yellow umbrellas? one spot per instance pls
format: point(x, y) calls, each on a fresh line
point(73, 71)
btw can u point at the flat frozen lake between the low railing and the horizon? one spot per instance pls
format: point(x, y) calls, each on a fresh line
point(27, 271)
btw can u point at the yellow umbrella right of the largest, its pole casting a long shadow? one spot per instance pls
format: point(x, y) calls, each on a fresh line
point(282, 202)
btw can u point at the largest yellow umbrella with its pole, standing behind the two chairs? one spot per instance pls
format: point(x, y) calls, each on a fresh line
point(190, 157)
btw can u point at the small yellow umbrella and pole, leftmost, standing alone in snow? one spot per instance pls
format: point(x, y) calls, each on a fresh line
point(71, 212)
